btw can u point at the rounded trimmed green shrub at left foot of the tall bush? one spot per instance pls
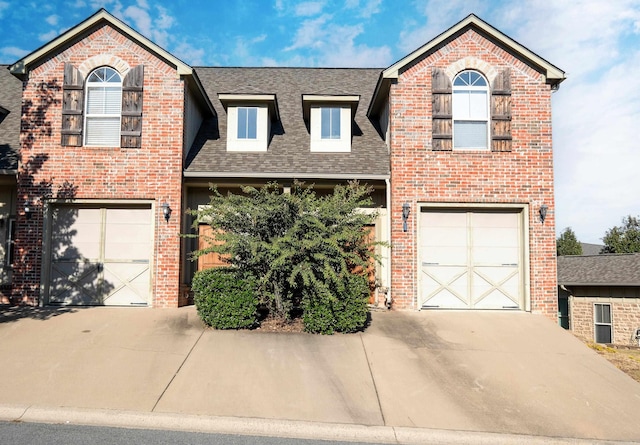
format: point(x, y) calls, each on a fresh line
point(224, 299)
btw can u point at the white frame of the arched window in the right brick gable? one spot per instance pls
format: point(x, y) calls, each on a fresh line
point(462, 112)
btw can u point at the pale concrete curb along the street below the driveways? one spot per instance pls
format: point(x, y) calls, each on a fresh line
point(272, 427)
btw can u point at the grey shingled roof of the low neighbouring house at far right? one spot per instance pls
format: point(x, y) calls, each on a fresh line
point(599, 270)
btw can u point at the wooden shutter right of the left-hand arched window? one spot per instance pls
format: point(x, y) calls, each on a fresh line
point(131, 131)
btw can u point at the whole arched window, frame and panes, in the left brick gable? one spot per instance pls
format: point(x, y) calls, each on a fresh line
point(103, 108)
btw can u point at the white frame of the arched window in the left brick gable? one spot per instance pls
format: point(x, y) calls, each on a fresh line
point(110, 140)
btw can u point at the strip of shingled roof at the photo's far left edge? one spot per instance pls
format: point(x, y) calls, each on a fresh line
point(11, 102)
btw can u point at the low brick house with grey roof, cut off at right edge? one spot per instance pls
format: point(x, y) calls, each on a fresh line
point(599, 297)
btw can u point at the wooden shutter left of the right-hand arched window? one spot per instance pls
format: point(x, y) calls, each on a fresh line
point(441, 110)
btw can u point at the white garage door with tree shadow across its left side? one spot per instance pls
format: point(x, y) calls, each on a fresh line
point(100, 256)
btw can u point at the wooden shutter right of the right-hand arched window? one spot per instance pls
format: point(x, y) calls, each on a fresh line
point(501, 112)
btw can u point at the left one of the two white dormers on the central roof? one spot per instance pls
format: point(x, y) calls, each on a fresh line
point(249, 118)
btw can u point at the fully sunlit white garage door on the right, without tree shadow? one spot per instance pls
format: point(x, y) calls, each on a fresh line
point(471, 259)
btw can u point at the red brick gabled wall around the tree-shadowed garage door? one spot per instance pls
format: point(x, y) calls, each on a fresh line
point(152, 172)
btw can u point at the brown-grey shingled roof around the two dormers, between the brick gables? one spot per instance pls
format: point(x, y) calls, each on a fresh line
point(288, 153)
